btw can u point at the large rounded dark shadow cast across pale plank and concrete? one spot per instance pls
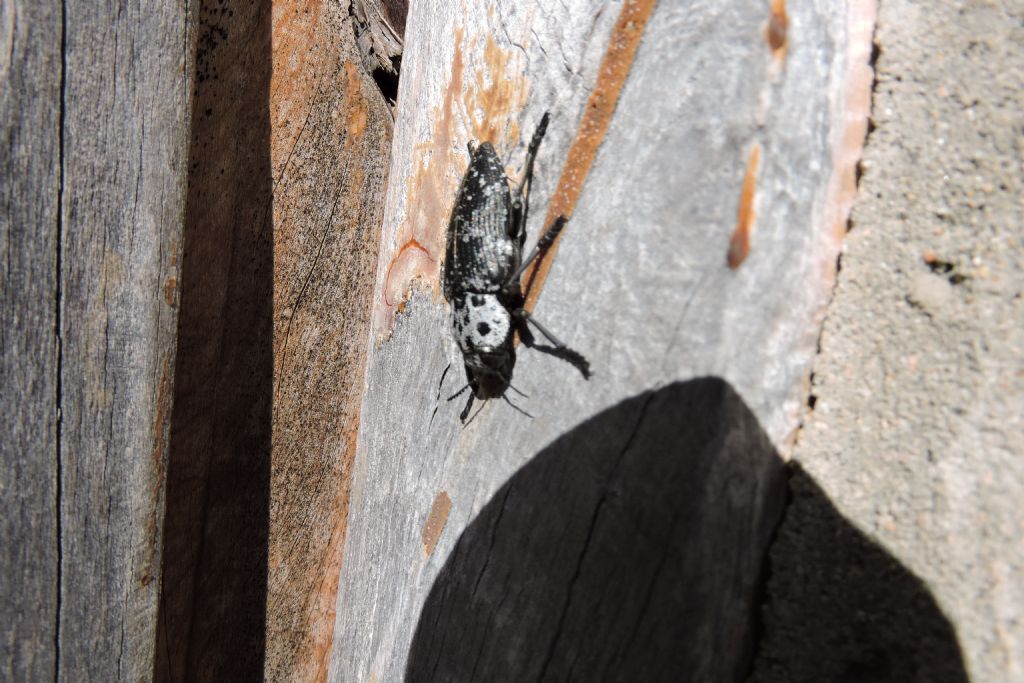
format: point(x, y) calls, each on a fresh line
point(635, 547)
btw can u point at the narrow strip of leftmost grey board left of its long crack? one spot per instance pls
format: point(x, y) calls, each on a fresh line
point(30, 112)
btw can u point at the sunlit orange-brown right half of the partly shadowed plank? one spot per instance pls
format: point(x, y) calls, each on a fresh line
point(330, 146)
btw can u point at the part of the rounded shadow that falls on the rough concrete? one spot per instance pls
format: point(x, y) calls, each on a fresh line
point(841, 609)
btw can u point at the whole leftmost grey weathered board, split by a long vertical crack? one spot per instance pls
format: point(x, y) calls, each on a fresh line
point(94, 107)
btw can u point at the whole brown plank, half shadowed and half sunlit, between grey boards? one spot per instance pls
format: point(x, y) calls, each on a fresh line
point(290, 134)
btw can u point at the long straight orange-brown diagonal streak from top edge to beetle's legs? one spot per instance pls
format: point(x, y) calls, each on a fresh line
point(602, 105)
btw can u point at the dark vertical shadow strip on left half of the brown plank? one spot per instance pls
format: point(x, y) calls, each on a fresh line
point(214, 603)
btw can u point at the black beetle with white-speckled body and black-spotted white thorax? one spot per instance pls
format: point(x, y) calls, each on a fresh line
point(483, 266)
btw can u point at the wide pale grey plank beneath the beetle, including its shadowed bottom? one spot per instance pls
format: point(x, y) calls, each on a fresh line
point(671, 455)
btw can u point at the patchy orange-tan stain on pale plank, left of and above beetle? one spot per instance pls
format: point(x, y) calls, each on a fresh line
point(484, 103)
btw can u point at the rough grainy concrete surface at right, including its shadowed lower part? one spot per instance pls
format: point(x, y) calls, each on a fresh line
point(901, 558)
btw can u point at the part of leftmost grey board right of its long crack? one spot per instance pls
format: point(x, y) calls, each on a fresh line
point(124, 131)
